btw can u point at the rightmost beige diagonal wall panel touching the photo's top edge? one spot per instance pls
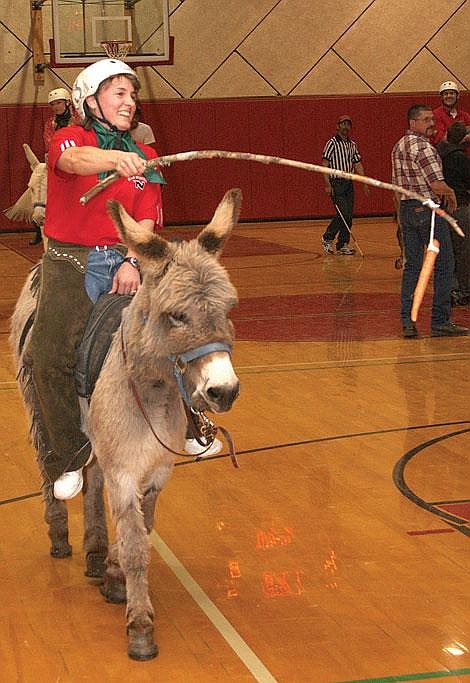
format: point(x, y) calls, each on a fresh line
point(387, 37)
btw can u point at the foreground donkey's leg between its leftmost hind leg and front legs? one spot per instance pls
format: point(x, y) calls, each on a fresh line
point(95, 534)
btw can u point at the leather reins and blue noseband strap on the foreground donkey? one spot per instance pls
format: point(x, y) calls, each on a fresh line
point(202, 428)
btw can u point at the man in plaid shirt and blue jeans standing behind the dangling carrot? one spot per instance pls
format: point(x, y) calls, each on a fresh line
point(416, 166)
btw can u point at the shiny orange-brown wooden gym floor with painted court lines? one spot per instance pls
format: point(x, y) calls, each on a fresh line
point(337, 552)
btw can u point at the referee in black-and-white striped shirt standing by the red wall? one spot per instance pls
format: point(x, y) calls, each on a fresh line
point(342, 154)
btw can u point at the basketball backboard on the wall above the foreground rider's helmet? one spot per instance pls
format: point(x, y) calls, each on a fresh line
point(81, 26)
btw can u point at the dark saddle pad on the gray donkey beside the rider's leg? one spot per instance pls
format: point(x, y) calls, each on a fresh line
point(103, 323)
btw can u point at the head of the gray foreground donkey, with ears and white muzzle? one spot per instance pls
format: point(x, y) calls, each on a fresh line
point(183, 304)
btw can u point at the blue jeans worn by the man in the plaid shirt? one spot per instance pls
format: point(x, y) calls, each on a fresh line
point(416, 222)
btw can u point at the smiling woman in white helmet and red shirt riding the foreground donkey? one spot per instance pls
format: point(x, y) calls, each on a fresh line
point(84, 258)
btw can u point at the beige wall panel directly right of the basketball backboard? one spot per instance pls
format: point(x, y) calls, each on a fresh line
point(206, 32)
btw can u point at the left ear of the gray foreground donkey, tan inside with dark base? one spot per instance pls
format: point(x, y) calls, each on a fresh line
point(144, 242)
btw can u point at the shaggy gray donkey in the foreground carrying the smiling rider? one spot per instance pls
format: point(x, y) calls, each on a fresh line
point(135, 418)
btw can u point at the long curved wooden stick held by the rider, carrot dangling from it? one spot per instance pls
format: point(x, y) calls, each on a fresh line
point(247, 156)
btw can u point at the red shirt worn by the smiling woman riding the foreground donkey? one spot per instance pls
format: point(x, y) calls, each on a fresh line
point(90, 225)
